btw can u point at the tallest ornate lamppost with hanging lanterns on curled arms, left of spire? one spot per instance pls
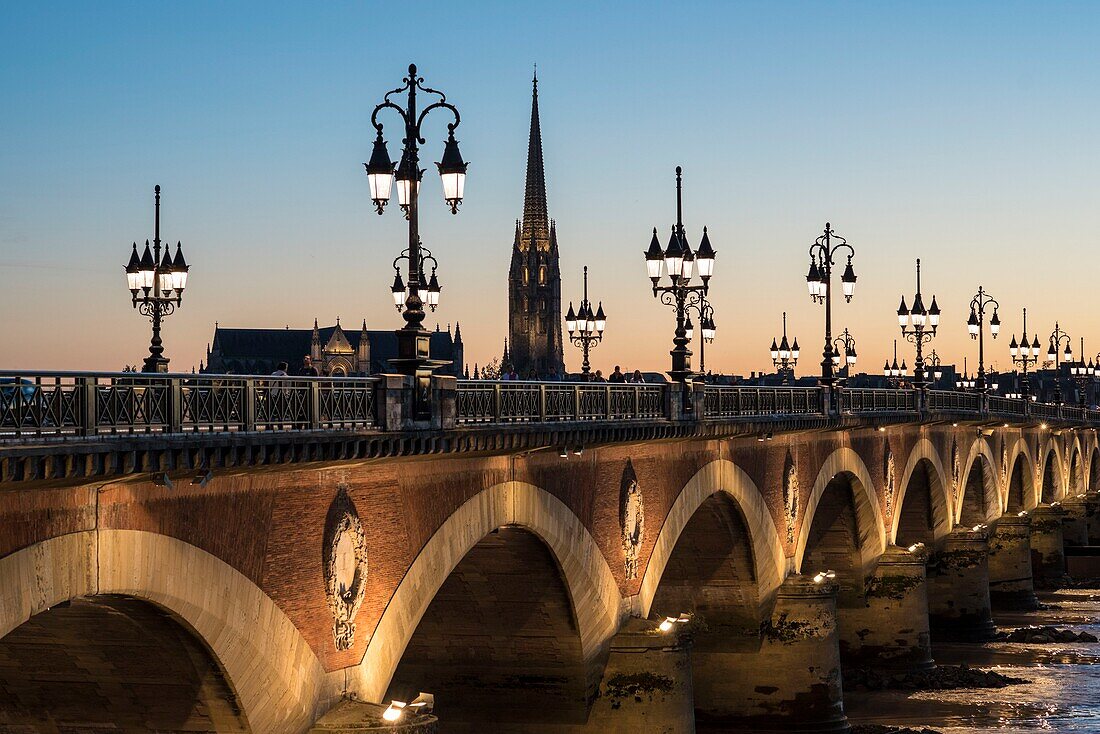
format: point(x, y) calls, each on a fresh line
point(413, 353)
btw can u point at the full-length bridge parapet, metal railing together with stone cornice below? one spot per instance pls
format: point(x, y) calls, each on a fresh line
point(57, 425)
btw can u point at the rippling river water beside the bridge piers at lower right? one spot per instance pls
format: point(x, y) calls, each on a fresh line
point(1063, 696)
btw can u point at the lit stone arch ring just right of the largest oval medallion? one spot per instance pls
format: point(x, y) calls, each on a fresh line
point(595, 596)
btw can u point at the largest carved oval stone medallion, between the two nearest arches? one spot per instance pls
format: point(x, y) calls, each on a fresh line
point(345, 560)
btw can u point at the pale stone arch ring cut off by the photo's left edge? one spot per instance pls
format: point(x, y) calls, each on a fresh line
point(247, 633)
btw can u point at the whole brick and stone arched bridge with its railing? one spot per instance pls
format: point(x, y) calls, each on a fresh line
point(247, 554)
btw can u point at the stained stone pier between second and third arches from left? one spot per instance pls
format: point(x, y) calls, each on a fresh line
point(647, 685)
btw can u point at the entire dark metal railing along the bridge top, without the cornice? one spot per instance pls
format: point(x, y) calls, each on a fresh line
point(79, 404)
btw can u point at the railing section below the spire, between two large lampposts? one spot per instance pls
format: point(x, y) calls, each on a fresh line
point(513, 402)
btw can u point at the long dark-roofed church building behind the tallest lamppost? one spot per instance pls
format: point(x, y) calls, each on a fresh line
point(333, 350)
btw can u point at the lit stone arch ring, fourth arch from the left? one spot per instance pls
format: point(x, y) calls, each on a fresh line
point(873, 539)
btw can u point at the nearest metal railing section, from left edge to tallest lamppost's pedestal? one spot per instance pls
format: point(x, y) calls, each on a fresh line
point(84, 404)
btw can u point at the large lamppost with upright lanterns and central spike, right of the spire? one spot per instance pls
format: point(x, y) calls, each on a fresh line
point(679, 264)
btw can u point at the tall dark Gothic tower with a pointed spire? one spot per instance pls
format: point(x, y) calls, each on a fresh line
point(534, 278)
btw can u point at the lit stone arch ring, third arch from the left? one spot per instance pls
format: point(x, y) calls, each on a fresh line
point(729, 479)
